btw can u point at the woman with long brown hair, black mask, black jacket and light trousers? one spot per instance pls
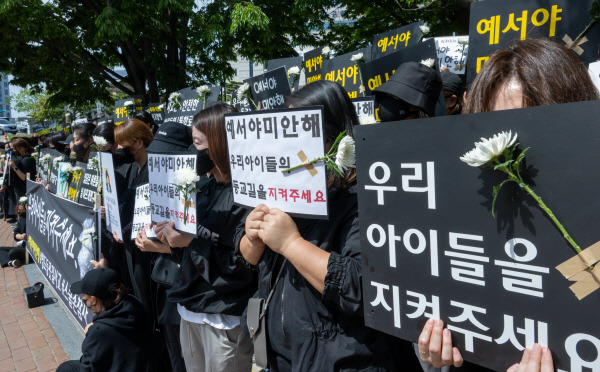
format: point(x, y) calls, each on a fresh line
point(214, 285)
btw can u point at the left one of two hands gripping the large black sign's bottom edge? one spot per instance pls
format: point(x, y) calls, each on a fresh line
point(435, 345)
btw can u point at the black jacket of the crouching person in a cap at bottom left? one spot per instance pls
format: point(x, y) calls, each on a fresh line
point(118, 340)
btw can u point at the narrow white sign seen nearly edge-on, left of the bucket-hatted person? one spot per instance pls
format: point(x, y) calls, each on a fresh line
point(109, 194)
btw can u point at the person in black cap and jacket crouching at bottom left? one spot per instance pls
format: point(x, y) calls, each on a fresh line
point(118, 338)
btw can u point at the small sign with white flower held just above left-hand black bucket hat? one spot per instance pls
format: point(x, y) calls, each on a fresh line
point(189, 105)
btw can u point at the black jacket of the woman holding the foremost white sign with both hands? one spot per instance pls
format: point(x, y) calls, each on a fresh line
point(312, 332)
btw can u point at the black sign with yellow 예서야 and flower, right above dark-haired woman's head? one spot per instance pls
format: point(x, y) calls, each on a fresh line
point(346, 72)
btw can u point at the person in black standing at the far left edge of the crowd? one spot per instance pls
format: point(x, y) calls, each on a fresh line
point(20, 164)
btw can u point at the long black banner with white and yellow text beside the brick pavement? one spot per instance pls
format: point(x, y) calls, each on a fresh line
point(62, 239)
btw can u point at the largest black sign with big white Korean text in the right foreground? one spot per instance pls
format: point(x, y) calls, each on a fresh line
point(431, 247)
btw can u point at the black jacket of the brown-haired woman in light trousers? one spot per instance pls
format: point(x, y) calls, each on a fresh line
point(213, 278)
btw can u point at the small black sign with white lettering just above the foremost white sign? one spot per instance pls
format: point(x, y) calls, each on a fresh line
point(269, 89)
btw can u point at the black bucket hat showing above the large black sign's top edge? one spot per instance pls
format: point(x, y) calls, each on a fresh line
point(414, 83)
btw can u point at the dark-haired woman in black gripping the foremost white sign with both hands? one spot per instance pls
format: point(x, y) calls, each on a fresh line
point(311, 270)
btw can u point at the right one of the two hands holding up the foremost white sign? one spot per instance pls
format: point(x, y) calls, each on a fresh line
point(278, 230)
